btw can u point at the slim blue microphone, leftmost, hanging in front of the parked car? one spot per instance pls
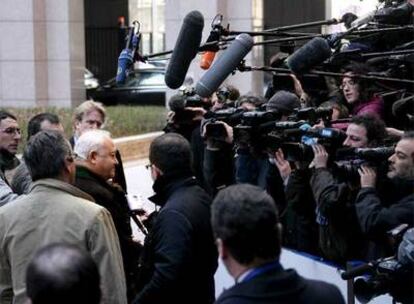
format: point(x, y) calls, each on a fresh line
point(126, 58)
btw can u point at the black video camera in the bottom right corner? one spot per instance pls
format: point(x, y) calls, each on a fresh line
point(393, 275)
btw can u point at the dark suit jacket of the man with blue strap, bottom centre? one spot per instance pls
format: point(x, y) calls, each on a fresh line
point(281, 287)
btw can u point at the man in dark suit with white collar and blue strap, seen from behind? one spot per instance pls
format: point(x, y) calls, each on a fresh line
point(247, 229)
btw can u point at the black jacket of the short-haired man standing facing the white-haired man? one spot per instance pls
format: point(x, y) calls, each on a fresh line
point(180, 257)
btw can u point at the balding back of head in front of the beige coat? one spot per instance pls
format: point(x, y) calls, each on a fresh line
point(61, 273)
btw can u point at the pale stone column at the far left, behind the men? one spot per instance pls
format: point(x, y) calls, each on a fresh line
point(42, 53)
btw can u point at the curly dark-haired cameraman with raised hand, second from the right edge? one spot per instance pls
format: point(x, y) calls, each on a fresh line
point(340, 238)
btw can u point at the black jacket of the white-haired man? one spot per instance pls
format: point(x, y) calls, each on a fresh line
point(113, 199)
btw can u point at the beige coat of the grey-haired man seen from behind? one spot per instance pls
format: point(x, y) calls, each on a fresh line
point(55, 211)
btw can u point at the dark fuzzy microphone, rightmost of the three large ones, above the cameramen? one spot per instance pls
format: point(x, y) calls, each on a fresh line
point(309, 55)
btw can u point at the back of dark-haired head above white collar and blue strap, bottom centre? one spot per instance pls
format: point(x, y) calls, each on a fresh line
point(245, 219)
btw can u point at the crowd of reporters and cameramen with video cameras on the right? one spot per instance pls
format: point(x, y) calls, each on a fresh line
point(329, 150)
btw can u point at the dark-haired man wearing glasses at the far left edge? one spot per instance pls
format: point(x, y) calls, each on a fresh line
point(10, 137)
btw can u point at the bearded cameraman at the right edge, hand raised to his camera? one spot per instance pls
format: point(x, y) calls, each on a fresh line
point(375, 216)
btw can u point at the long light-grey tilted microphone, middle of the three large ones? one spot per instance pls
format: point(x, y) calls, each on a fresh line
point(224, 65)
